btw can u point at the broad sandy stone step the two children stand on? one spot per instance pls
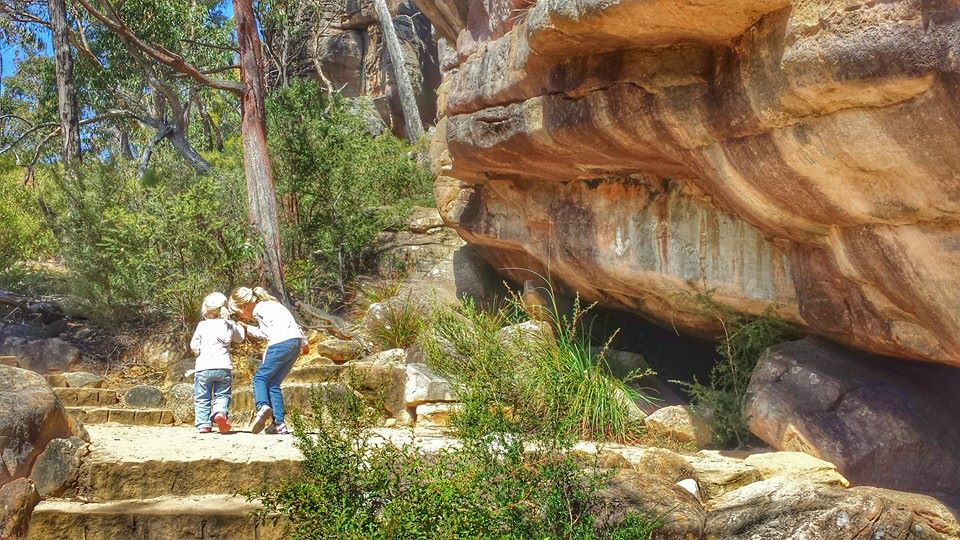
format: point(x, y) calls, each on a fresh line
point(133, 462)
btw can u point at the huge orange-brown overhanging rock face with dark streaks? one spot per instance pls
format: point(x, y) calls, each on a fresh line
point(799, 155)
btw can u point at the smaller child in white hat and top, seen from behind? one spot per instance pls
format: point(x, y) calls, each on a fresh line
point(213, 379)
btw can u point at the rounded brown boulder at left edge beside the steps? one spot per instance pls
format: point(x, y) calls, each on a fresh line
point(30, 417)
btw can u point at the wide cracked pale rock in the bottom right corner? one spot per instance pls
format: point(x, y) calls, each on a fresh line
point(797, 509)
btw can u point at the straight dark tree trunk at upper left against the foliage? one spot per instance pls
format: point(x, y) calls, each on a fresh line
point(66, 92)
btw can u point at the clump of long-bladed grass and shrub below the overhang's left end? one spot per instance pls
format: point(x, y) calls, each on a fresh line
point(542, 380)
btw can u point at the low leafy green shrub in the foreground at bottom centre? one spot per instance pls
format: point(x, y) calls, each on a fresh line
point(357, 487)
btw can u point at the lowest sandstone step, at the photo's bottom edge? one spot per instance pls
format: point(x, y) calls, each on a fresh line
point(211, 516)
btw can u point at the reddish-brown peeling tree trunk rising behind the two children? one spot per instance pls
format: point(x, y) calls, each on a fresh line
point(261, 193)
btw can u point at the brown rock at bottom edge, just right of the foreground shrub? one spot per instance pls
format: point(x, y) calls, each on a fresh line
point(682, 514)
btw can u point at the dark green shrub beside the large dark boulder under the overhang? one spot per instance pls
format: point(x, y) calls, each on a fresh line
point(722, 400)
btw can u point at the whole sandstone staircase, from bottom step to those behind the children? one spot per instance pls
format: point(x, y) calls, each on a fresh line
point(150, 475)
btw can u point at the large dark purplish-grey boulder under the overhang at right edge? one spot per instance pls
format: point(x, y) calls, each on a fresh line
point(882, 422)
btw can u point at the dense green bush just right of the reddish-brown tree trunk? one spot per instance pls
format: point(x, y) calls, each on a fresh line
point(339, 187)
